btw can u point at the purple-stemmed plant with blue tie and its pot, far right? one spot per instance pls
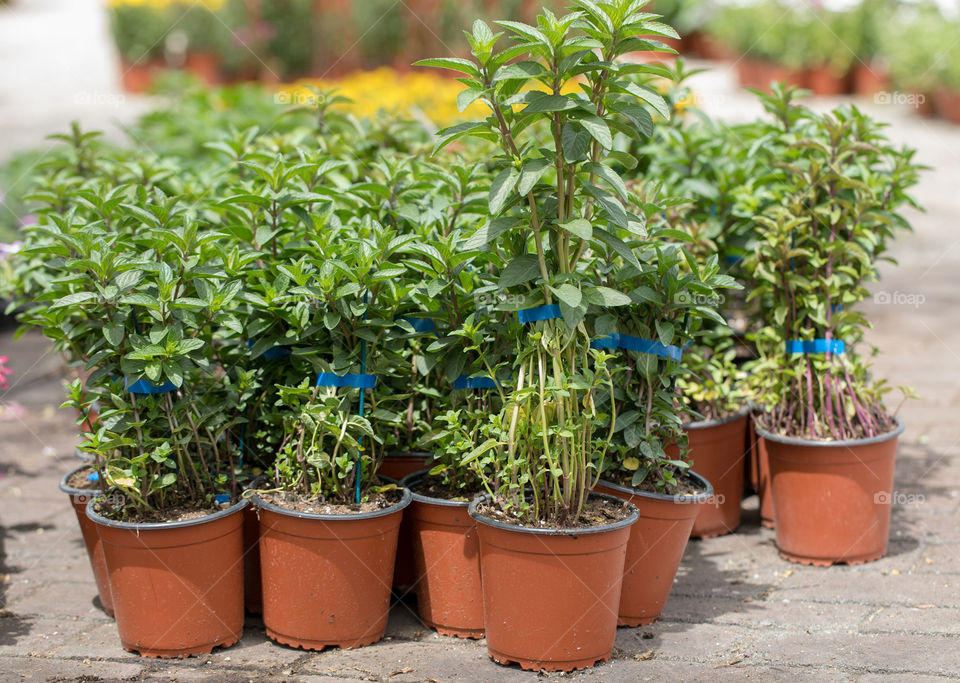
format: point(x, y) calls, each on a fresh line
point(831, 442)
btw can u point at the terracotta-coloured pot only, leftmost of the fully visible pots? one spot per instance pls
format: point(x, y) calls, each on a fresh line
point(177, 586)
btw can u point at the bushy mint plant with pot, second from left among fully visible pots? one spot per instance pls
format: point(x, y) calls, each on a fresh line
point(328, 525)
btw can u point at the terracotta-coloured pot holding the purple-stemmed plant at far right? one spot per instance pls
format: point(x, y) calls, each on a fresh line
point(832, 498)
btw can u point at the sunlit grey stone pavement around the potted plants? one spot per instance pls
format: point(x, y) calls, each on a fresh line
point(737, 610)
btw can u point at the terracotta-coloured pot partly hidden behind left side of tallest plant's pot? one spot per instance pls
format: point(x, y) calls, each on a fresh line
point(446, 553)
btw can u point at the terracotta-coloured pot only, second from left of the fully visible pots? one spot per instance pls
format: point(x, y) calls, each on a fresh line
point(326, 578)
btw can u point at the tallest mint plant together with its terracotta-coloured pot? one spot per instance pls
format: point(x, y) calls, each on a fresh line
point(556, 206)
